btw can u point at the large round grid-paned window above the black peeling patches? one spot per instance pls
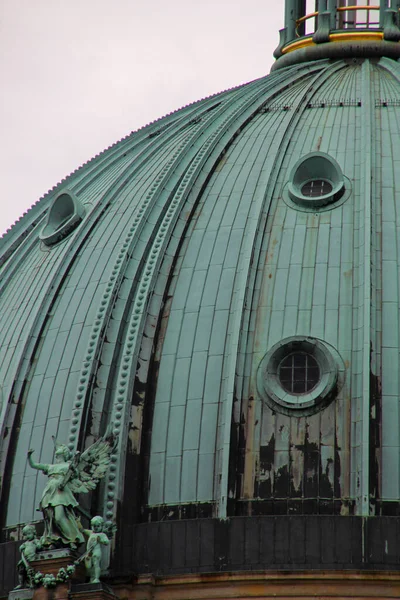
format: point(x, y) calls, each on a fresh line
point(300, 375)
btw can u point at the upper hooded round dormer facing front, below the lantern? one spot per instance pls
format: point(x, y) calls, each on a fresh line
point(316, 181)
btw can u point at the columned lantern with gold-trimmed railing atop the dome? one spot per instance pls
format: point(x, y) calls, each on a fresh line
point(343, 21)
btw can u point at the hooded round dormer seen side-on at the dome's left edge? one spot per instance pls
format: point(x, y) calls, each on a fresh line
point(65, 214)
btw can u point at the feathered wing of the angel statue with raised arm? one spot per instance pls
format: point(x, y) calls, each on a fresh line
point(88, 468)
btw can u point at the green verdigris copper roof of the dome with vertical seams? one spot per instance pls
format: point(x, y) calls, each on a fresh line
point(180, 263)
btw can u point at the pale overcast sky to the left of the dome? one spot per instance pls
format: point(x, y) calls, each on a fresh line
point(77, 75)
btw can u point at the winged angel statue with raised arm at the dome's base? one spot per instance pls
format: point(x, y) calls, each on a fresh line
point(71, 474)
